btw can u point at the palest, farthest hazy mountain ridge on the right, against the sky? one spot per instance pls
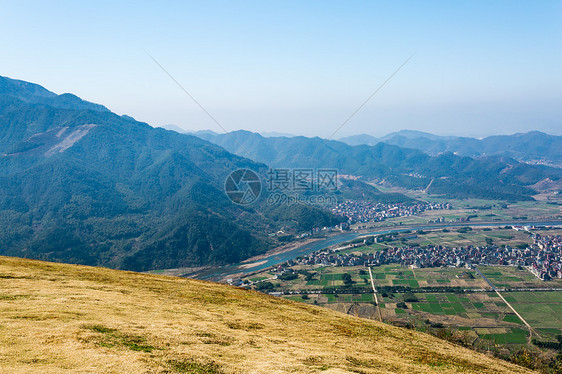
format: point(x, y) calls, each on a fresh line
point(531, 147)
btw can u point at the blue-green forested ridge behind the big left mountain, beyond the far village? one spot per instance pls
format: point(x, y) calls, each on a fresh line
point(455, 176)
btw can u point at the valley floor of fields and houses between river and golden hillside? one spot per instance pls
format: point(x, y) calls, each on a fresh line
point(454, 301)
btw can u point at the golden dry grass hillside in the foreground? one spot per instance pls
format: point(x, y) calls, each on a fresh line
point(64, 318)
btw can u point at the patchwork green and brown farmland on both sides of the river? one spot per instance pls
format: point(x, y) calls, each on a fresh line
point(453, 299)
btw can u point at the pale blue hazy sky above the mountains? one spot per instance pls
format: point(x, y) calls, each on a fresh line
point(479, 67)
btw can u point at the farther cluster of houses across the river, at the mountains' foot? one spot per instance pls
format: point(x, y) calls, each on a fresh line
point(363, 211)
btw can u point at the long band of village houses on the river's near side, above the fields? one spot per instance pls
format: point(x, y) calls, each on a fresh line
point(543, 258)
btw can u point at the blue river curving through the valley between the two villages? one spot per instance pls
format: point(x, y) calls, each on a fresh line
point(224, 271)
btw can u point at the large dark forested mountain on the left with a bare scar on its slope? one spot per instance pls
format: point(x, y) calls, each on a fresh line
point(81, 184)
